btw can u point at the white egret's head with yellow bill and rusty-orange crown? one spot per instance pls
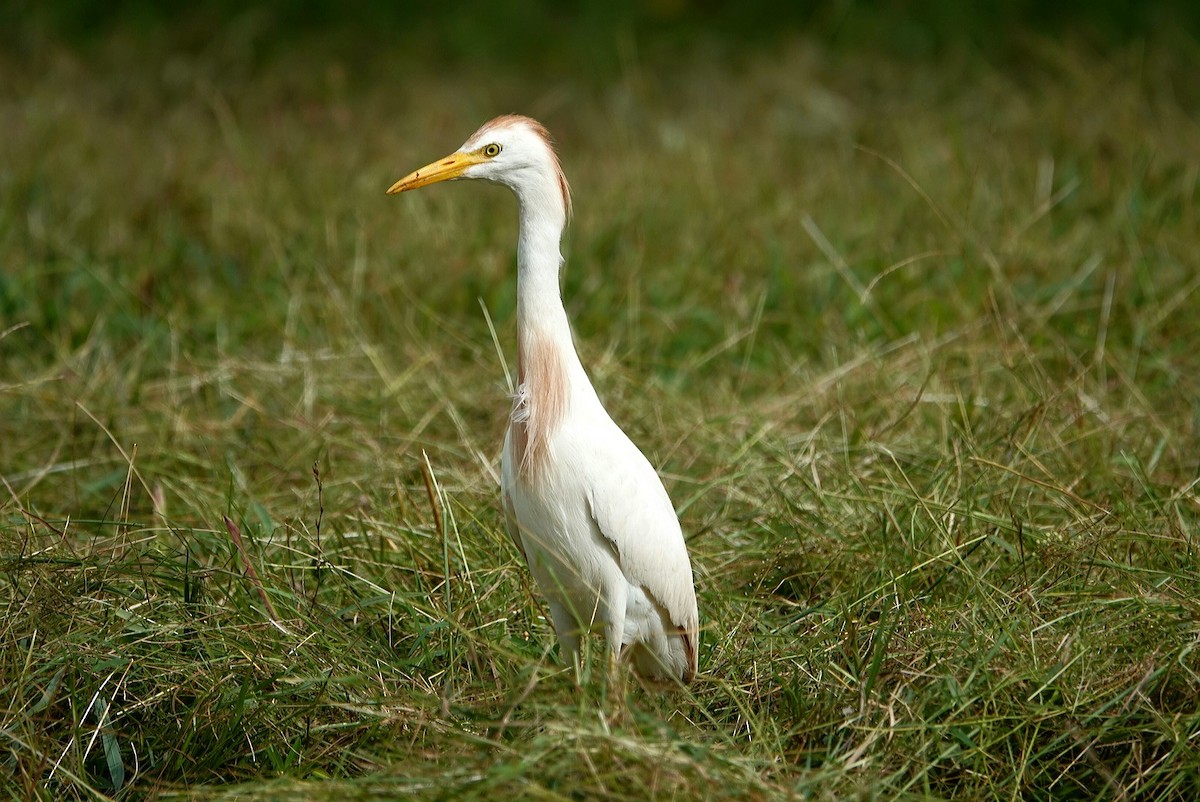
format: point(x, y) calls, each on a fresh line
point(513, 151)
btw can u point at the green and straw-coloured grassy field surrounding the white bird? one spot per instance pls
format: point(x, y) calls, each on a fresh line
point(914, 337)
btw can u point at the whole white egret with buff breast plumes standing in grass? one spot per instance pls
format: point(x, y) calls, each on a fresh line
point(584, 506)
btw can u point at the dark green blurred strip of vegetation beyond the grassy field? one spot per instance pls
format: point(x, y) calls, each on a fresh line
point(583, 38)
